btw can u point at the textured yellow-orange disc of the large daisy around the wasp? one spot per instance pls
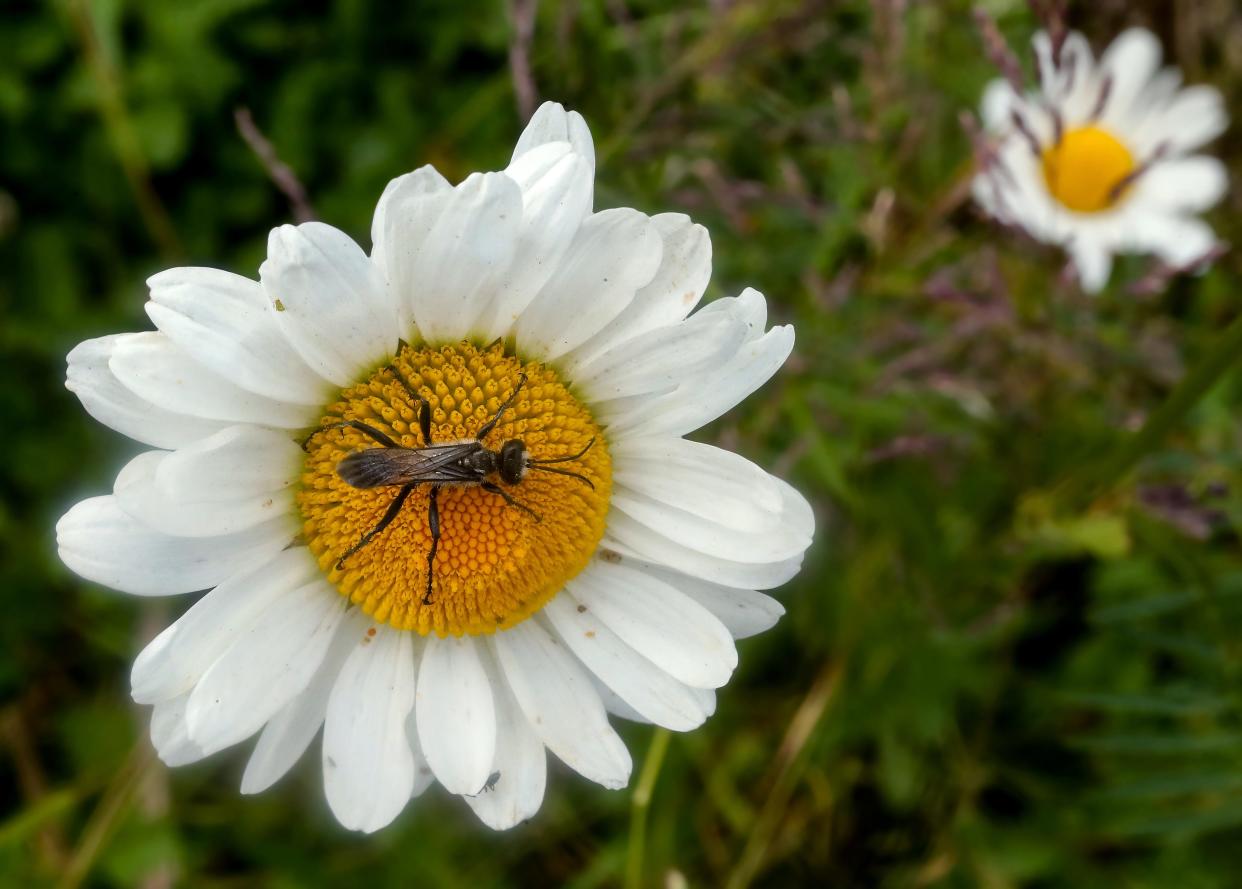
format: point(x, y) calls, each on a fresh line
point(496, 564)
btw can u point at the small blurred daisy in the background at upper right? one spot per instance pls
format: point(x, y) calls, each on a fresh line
point(1099, 158)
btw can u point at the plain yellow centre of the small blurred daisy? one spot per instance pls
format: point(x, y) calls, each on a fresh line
point(1087, 169)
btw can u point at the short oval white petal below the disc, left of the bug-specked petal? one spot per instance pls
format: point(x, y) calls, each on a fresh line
point(456, 715)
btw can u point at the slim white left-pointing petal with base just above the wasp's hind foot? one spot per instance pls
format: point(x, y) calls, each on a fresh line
point(151, 367)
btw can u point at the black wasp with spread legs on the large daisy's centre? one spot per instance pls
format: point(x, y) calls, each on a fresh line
point(464, 464)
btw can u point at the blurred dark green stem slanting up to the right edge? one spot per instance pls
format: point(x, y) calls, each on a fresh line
point(1224, 354)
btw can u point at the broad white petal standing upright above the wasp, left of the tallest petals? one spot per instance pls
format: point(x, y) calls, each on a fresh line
point(453, 275)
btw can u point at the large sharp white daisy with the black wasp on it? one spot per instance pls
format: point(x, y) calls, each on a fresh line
point(442, 496)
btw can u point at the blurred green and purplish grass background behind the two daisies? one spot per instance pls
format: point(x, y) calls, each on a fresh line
point(1007, 662)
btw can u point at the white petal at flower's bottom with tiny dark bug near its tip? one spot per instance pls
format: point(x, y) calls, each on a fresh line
point(521, 764)
